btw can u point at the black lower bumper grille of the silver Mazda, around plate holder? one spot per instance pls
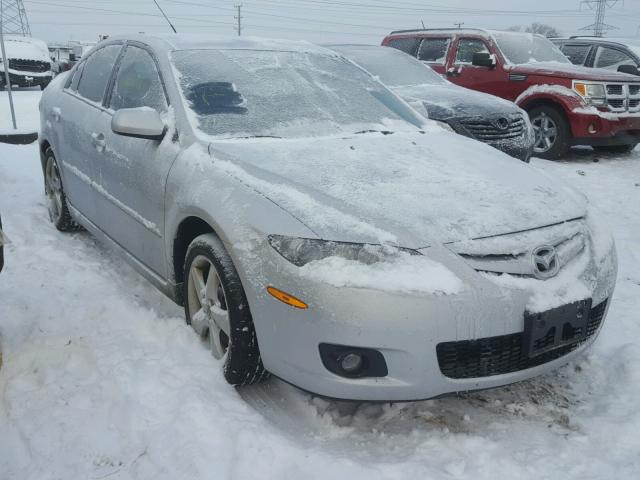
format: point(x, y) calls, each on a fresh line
point(504, 354)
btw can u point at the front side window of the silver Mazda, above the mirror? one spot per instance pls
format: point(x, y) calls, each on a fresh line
point(138, 82)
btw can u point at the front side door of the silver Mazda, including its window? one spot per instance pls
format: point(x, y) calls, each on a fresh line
point(133, 171)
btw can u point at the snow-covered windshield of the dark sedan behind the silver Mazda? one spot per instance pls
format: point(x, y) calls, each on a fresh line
point(391, 66)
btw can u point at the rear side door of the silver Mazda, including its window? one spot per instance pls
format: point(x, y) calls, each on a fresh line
point(78, 111)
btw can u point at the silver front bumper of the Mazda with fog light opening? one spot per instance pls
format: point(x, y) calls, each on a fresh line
point(405, 328)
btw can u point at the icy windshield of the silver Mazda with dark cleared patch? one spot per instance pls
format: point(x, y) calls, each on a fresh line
point(259, 93)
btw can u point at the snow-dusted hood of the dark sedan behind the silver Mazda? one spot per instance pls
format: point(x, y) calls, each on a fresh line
point(446, 102)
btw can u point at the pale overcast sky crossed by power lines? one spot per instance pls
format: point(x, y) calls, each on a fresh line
point(364, 21)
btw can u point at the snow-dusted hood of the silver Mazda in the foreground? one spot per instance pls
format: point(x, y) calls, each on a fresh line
point(410, 189)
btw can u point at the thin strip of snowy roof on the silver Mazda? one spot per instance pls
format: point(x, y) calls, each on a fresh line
point(180, 41)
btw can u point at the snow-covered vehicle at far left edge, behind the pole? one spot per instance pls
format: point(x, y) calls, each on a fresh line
point(29, 62)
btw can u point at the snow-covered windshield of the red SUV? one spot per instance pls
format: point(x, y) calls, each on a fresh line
point(519, 48)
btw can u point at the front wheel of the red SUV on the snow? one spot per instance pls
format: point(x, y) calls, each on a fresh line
point(553, 135)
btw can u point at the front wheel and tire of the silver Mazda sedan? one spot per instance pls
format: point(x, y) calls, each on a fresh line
point(221, 304)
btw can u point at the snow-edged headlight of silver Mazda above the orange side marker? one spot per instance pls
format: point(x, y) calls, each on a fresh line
point(301, 251)
